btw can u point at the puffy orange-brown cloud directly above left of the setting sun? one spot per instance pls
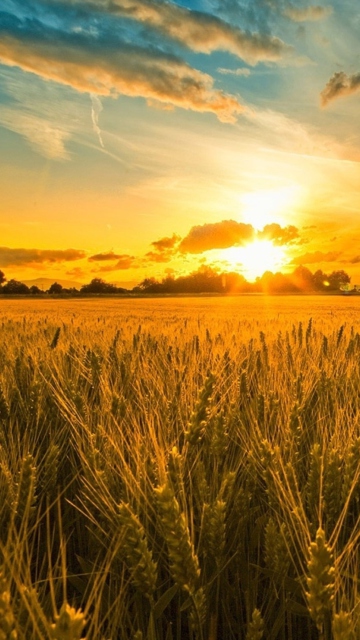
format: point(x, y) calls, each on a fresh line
point(217, 235)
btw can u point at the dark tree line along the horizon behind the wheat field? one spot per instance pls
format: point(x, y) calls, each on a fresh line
point(204, 280)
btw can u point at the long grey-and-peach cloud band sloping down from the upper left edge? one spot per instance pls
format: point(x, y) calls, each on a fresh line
point(90, 65)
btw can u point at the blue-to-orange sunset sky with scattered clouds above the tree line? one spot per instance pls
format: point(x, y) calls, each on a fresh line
point(146, 138)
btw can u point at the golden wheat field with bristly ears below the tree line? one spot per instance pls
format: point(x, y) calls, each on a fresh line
point(180, 469)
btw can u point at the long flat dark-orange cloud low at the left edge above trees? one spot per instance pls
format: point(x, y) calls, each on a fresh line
point(29, 257)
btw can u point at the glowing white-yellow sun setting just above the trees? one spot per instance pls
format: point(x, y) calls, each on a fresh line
point(255, 258)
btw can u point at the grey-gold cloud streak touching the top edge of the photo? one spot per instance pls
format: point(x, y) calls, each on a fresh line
point(196, 30)
